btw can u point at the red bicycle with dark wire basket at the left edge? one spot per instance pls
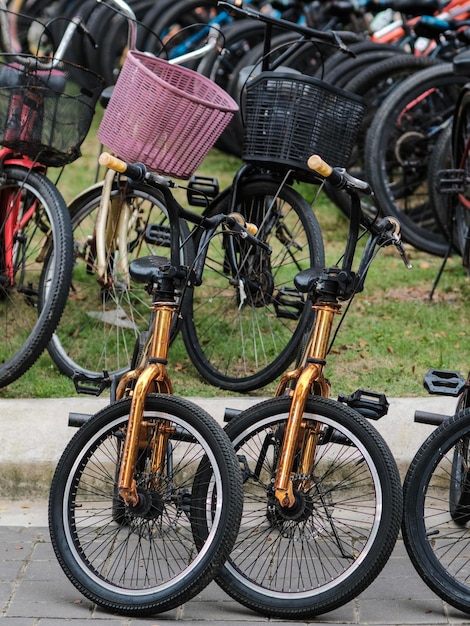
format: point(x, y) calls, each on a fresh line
point(46, 108)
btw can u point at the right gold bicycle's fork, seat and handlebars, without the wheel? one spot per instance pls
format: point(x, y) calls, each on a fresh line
point(327, 289)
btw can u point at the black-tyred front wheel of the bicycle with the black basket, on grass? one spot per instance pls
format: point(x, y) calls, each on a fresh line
point(246, 324)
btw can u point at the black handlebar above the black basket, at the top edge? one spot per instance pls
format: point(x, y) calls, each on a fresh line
point(335, 38)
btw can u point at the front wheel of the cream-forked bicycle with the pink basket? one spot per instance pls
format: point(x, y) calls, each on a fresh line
point(100, 325)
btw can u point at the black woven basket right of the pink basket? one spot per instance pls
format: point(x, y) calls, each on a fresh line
point(289, 117)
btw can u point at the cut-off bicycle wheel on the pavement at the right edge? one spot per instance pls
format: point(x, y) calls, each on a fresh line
point(437, 511)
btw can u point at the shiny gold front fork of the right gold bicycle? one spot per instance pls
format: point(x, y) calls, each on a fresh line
point(309, 372)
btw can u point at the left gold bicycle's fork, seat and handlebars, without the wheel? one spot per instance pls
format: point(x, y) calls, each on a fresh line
point(150, 373)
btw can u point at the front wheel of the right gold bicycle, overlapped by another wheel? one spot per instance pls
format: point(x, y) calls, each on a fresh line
point(295, 563)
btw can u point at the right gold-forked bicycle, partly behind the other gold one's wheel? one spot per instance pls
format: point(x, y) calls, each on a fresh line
point(322, 493)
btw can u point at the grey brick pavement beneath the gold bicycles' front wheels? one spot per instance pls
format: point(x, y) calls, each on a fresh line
point(35, 592)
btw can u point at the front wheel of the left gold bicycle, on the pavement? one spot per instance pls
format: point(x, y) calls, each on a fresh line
point(144, 559)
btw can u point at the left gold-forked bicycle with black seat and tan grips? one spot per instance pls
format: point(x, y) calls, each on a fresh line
point(146, 499)
